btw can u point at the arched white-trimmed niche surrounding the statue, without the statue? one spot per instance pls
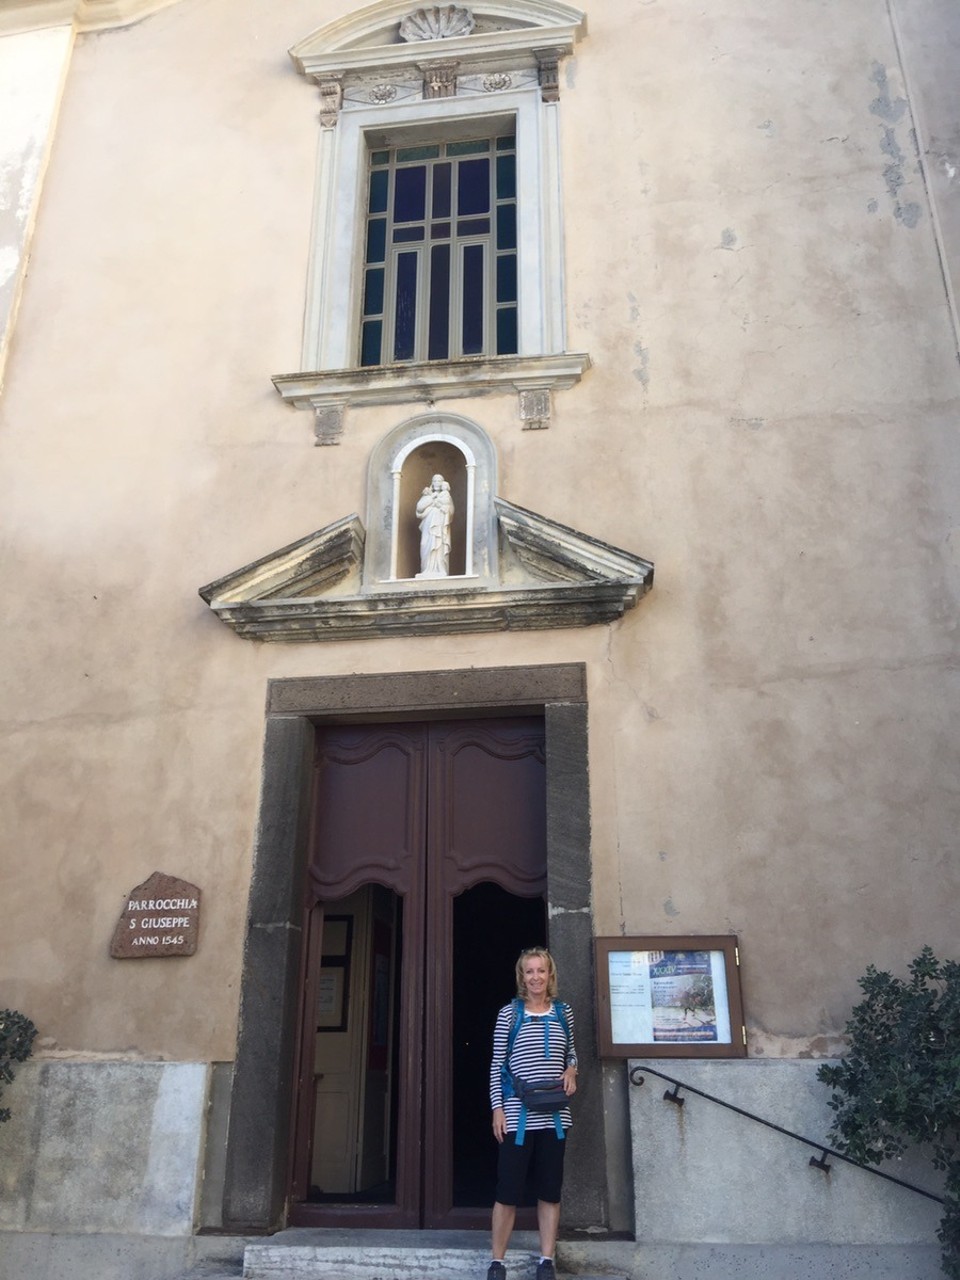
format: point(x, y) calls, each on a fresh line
point(401, 467)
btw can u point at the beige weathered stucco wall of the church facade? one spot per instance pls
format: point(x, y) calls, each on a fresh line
point(771, 418)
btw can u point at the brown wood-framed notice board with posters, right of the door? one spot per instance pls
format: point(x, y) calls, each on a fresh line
point(670, 996)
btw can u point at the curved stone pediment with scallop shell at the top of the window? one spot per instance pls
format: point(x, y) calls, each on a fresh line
point(397, 33)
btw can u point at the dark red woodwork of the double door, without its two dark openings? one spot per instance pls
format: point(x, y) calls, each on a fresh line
point(429, 811)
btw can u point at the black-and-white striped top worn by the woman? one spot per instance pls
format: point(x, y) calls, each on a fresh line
point(534, 1058)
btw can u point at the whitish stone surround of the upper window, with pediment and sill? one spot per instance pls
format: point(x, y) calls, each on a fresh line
point(499, 74)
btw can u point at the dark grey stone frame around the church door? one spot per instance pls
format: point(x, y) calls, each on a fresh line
point(262, 1100)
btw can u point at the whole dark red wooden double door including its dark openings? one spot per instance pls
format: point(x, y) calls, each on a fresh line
point(427, 877)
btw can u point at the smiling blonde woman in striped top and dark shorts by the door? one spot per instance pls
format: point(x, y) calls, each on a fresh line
point(532, 1142)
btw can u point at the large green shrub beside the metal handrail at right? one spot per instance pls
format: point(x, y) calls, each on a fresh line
point(900, 1081)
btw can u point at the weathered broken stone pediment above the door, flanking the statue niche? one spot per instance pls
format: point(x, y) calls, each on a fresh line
point(550, 577)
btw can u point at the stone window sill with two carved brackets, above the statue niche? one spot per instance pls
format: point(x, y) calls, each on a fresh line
point(533, 378)
